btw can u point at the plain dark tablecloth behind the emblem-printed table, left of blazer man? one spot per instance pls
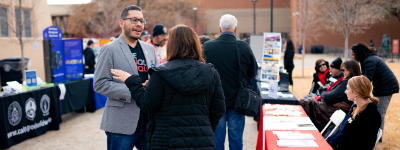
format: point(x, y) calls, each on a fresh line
point(79, 94)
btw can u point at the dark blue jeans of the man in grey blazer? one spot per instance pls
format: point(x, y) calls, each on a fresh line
point(127, 142)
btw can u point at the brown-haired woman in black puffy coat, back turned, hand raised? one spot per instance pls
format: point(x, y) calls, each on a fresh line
point(184, 97)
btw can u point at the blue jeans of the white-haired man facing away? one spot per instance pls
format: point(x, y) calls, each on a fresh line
point(235, 130)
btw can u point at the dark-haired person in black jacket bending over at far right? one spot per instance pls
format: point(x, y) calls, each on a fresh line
point(375, 69)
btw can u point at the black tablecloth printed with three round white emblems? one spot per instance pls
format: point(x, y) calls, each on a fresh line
point(28, 115)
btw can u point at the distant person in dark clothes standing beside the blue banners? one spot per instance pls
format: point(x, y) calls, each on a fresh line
point(89, 58)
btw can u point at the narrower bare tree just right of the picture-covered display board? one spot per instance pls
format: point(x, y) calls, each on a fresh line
point(307, 24)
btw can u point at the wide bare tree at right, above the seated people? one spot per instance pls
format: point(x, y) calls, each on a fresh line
point(349, 17)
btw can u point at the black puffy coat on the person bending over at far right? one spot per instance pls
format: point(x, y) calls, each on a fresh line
point(382, 78)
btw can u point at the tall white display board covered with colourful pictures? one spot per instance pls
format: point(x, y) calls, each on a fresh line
point(271, 56)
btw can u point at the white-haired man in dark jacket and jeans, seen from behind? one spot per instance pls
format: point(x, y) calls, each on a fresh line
point(221, 52)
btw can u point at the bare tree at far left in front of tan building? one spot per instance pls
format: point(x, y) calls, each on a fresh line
point(22, 26)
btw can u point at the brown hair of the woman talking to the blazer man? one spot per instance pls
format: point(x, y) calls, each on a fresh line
point(183, 43)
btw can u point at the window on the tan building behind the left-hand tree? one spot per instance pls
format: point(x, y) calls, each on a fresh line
point(26, 22)
